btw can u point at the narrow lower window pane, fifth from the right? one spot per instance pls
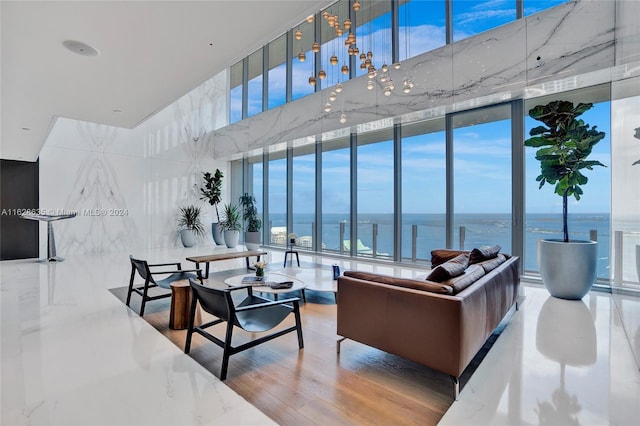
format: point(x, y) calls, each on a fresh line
point(336, 193)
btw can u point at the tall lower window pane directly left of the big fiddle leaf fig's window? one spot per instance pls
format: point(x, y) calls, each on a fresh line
point(482, 178)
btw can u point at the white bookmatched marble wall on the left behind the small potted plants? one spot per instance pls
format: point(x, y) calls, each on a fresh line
point(126, 185)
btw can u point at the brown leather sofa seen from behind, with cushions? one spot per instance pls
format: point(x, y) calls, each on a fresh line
point(425, 321)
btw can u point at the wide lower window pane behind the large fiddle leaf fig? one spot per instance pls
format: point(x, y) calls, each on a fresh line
point(589, 217)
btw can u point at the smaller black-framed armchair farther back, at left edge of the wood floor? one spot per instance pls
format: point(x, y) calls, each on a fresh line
point(147, 274)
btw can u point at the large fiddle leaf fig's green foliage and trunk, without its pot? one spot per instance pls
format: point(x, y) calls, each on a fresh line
point(565, 143)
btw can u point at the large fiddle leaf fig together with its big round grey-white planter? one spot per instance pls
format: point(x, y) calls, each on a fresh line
point(567, 267)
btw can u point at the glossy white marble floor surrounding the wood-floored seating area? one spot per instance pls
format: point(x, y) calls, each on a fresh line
point(72, 354)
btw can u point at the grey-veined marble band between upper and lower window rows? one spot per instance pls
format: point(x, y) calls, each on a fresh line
point(563, 48)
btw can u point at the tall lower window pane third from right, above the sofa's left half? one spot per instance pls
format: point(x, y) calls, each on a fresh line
point(424, 188)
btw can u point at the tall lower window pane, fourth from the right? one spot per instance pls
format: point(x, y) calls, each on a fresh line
point(375, 195)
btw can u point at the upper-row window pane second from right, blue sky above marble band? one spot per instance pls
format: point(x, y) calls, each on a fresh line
point(471, 17)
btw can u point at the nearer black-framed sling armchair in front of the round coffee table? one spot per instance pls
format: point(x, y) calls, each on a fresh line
point(253, 314)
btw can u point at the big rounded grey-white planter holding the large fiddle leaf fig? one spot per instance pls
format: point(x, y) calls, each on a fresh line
point(568, 270)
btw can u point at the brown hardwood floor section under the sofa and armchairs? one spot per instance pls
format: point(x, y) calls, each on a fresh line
point(315, 385)
